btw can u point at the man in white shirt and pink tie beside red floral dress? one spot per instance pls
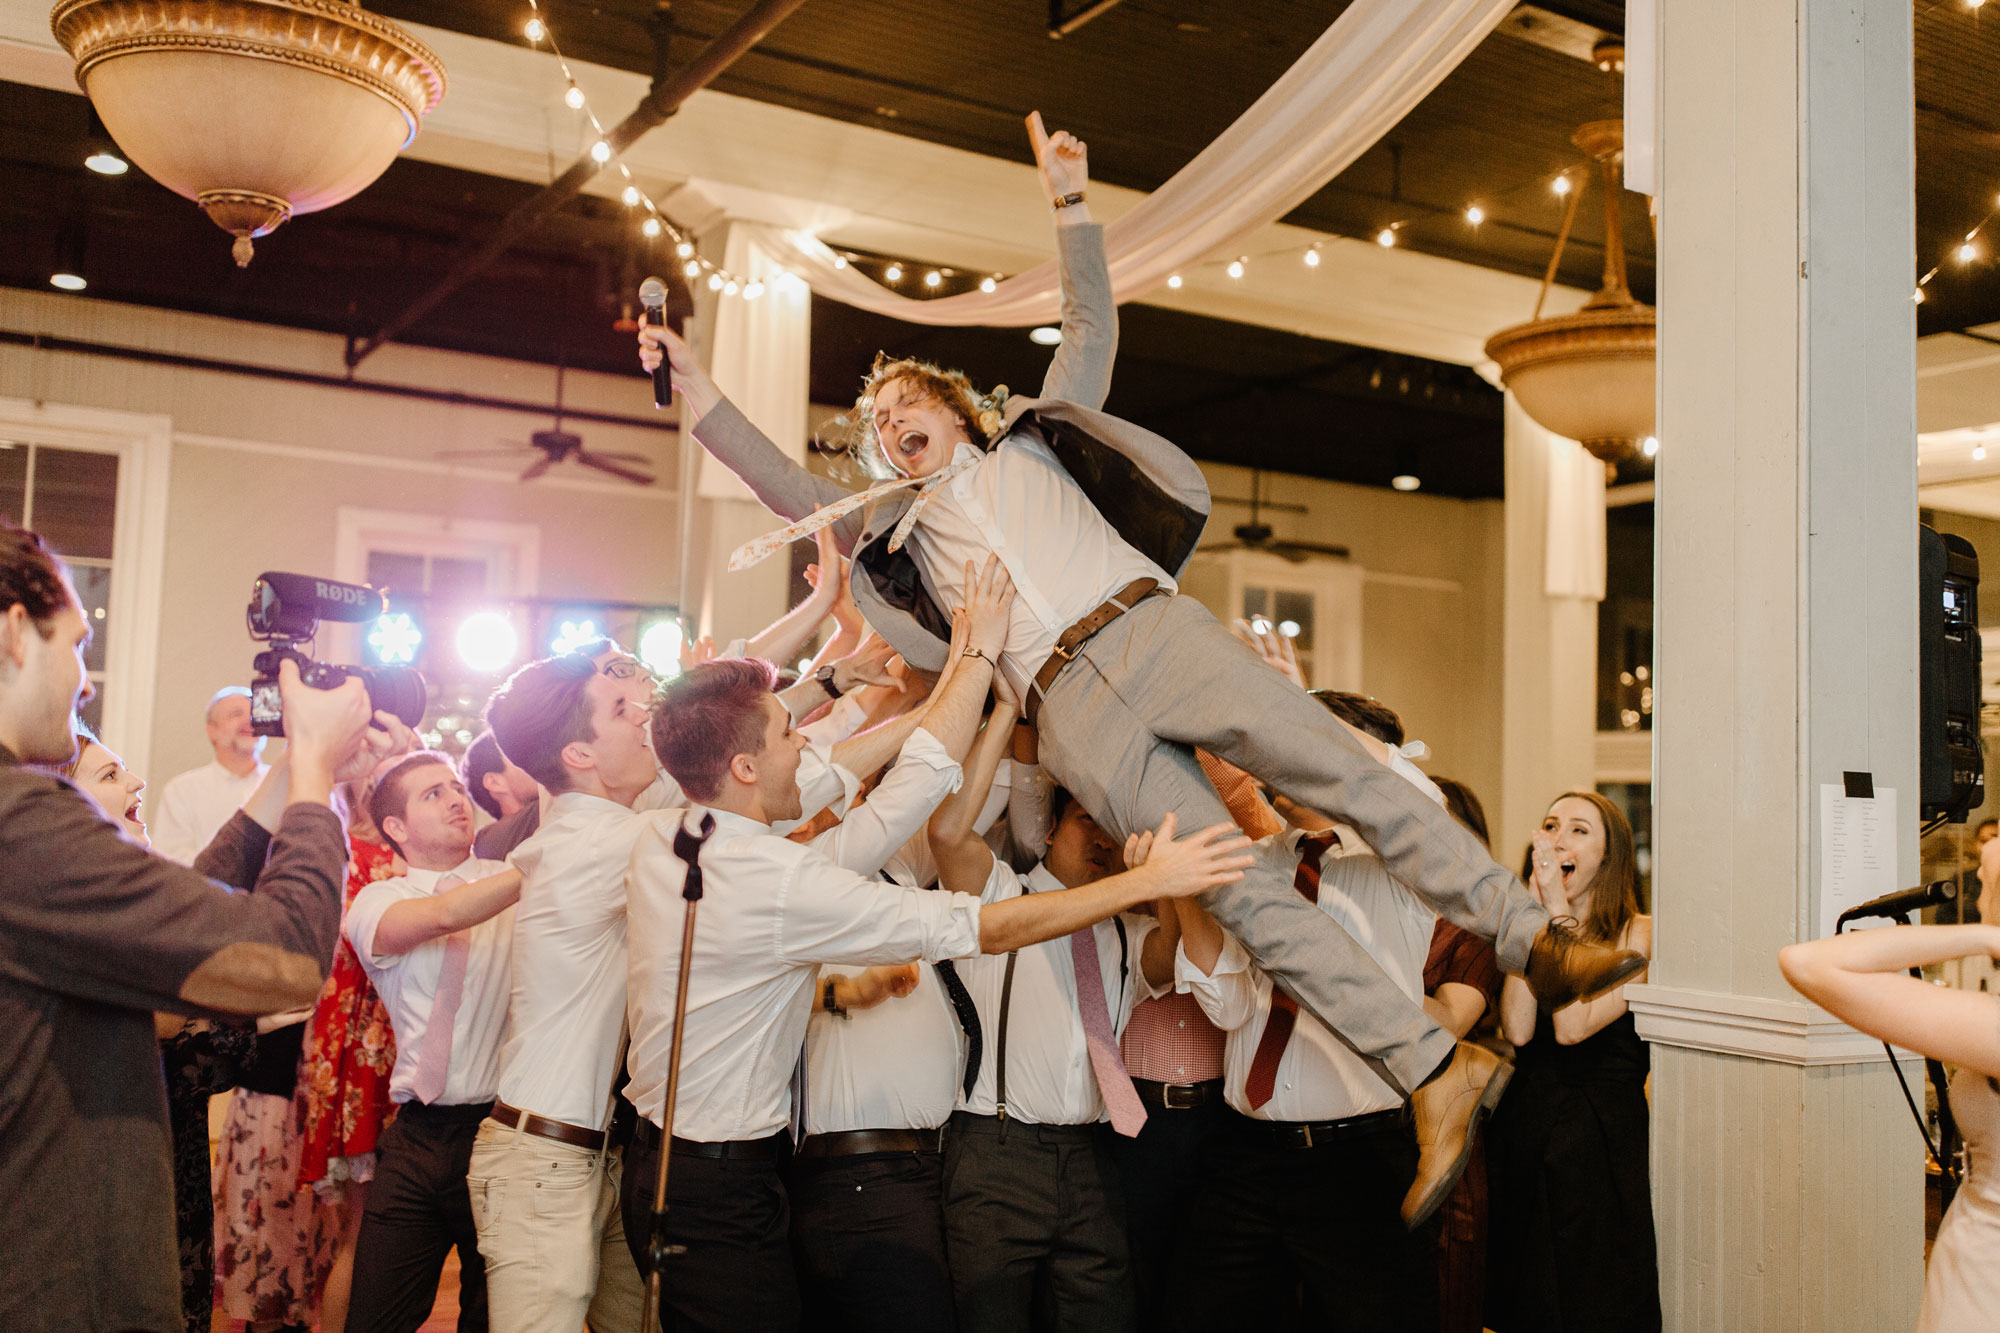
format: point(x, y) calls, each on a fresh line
point(437, 946)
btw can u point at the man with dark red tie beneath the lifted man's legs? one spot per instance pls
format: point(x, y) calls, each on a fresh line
point(1307, 1182)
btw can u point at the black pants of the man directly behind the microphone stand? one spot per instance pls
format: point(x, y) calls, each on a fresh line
point(735, 1220)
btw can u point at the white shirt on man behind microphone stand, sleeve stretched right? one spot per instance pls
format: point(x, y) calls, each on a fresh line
point(771, 914)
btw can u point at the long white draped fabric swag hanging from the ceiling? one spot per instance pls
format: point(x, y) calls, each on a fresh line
point(1351, 87)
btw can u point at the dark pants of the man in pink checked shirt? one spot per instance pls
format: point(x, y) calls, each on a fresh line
point(1161, 1168)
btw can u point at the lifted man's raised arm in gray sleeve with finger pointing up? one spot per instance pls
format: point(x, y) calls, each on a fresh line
point(1083, 365)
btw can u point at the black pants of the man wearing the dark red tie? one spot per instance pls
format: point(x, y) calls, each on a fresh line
point(1269, 1220)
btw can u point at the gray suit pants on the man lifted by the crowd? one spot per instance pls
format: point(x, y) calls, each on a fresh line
point(1119, 730)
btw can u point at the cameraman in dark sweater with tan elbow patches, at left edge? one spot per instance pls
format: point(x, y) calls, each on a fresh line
point(97, 936)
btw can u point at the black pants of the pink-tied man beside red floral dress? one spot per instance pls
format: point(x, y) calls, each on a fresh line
point(419, 1210)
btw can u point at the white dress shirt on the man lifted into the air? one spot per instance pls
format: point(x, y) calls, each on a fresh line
point(1025, 507)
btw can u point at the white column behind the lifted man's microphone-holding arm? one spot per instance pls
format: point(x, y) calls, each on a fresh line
point(759, 353)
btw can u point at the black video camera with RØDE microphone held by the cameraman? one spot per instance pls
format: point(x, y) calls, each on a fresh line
point(287, 611)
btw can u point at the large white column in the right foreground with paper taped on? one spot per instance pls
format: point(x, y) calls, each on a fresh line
point(1787, 1170)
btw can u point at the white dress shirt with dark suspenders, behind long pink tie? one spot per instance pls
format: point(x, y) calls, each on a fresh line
point(1049, 1076)
